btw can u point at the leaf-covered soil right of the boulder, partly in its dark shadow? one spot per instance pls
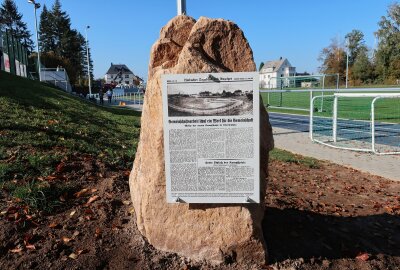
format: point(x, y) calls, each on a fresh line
point(331, 217)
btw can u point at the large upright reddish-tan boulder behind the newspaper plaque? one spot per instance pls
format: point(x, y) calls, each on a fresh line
point(215, 232)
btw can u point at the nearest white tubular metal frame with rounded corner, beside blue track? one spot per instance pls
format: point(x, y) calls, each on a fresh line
point(368, 122)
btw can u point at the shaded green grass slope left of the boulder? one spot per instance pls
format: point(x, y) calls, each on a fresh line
point(41, 126)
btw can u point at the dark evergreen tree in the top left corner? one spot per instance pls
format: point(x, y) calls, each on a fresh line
point(11, 19)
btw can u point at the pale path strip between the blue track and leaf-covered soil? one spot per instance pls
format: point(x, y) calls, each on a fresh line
point(299, 143)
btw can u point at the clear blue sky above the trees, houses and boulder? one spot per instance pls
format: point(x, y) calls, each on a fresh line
point(123, 31)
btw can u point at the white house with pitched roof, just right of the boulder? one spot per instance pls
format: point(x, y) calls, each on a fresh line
point(272, 74)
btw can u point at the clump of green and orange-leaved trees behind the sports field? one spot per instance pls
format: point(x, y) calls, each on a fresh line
point(366, 66)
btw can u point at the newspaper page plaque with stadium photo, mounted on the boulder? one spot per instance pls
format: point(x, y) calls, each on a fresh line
point(211, 137)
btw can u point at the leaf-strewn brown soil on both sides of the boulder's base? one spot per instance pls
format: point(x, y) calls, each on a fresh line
point(318, 216)
